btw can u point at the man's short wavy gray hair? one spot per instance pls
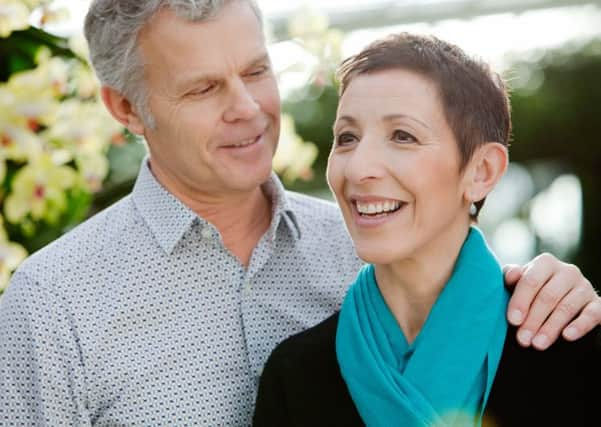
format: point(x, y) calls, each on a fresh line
point(112, 28)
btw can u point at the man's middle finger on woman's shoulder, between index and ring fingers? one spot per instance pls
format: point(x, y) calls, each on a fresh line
point(546, 300)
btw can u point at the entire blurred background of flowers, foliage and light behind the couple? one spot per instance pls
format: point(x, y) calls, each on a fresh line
point(62, 158)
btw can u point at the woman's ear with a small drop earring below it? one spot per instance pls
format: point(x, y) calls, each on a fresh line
point(485, 169)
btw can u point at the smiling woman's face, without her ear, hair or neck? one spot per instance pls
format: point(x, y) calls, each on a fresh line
point(395, 168)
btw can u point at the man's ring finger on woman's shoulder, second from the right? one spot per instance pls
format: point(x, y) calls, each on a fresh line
point(567, 309)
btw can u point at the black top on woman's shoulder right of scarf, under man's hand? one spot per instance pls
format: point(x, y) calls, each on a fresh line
point(547, 387)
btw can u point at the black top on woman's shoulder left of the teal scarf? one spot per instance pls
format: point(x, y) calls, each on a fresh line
point(301, 384)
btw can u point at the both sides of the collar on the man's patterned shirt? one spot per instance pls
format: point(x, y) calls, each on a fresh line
point(169, 219)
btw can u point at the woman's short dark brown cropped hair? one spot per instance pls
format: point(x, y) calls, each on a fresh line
point(474, 98)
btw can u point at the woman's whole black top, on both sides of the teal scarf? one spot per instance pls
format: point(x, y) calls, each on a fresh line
point(301, 384)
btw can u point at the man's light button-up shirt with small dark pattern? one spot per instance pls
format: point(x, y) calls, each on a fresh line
point(140, 316)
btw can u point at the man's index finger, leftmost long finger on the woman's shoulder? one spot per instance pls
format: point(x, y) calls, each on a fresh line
point(534, 276)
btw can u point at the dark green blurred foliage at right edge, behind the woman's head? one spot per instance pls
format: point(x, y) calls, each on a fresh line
point(561, 121)
